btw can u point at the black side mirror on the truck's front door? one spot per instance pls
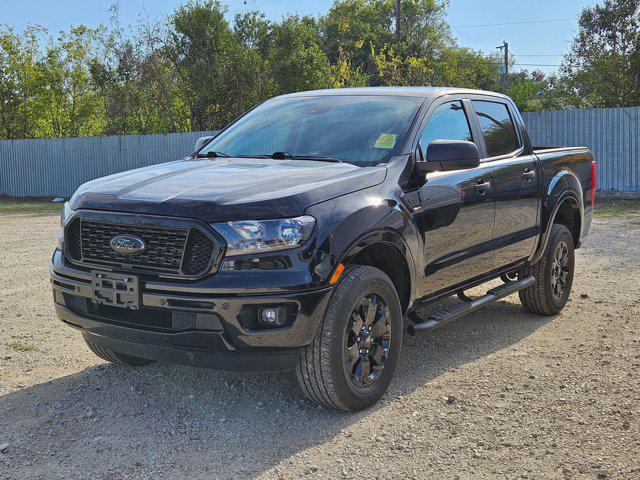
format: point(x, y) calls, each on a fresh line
point(447, 155)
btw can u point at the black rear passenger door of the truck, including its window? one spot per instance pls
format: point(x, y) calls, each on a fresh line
point(516, 179)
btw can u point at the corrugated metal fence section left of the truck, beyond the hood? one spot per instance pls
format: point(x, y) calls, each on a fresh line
point(58, 166)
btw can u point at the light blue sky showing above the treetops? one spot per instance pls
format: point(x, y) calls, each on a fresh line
point(478, 24)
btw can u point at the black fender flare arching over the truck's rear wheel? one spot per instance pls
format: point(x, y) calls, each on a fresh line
point(564, 187)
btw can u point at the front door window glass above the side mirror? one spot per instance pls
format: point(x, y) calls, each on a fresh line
point(447, 122)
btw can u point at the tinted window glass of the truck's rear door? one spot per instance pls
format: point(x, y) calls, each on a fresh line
point(497, 128)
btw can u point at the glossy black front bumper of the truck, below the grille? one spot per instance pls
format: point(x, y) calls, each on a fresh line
point(216, 331)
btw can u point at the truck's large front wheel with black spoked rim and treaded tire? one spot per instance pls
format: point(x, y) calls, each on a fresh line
point(327, 372)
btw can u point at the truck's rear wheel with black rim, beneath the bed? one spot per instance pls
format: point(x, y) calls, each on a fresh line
point(543, 297)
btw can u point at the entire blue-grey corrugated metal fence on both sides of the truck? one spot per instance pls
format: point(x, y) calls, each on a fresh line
point(56, 167)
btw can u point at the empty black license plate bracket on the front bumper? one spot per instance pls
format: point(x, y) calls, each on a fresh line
point(115, 290)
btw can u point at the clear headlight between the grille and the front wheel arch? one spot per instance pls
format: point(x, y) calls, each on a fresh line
point(257, 236)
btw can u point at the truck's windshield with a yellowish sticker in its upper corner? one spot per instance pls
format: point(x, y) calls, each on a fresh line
point(361, 130)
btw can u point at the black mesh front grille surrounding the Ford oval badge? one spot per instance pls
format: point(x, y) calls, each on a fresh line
point(177, 250)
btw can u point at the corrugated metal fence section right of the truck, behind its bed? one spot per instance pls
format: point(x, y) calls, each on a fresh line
point(612, 134)
